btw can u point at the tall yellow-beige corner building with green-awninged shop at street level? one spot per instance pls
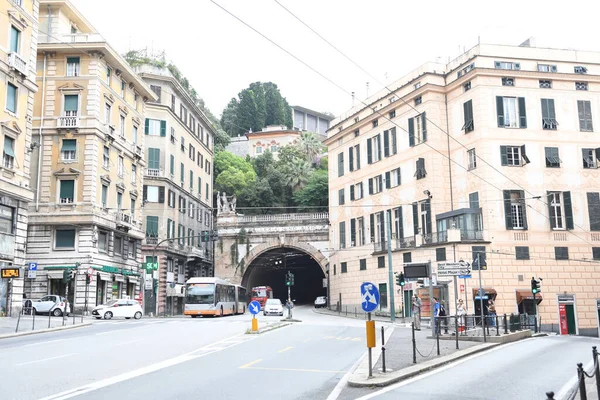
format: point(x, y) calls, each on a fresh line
point(87, 166)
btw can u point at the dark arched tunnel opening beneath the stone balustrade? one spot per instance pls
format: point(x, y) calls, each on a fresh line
point(270, 267)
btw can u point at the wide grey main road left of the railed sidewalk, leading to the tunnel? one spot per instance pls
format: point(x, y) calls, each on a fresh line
point(175, 358)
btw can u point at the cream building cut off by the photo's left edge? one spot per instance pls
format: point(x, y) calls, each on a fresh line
point(17, 90)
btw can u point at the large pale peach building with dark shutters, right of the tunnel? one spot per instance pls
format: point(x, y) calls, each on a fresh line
point(495, 155)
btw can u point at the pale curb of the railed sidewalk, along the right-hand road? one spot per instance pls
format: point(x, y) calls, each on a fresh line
point(409, 372)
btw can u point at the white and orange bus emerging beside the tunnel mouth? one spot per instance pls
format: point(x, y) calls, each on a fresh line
point(211, 296)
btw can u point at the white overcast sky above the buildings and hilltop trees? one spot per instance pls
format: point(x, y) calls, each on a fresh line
point(388, 38)
